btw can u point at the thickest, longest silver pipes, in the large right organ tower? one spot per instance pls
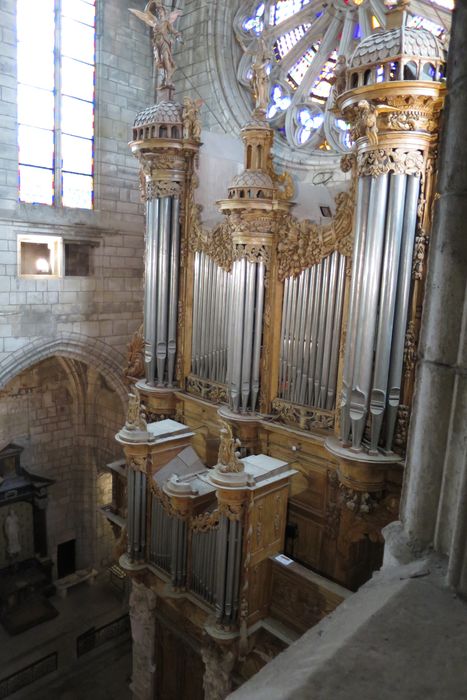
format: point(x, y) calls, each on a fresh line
point(379, 302)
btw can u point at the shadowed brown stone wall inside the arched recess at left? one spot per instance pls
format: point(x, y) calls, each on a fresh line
point(66, 418)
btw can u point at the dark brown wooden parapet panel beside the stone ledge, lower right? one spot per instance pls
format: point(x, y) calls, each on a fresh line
point(301, 598)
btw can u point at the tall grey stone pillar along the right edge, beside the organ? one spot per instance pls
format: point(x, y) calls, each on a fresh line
point(435, 489)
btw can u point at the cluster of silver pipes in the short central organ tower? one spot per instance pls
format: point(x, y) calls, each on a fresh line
point(244, 347)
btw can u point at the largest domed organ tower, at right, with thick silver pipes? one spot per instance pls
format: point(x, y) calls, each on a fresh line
point(394, 127)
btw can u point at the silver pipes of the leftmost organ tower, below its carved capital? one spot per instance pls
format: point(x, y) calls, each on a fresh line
point(161, 289)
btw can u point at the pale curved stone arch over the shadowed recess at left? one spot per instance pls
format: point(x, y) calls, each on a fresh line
point(92, 351)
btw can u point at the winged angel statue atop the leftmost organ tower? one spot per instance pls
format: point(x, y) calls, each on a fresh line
point(162, 21)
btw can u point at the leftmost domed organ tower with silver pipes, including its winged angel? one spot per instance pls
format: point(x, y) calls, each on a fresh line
point(166, 139)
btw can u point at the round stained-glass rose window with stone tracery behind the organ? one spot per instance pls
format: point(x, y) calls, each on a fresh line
point(306, 38)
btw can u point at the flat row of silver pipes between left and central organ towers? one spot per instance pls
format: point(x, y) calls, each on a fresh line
point(211, 313)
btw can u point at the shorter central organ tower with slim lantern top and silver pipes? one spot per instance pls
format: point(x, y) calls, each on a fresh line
point(253, 208)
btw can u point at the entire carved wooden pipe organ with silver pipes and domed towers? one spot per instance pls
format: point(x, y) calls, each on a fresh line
point(300, 338)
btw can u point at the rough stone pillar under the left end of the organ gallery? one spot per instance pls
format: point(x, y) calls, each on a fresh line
point(143, 631)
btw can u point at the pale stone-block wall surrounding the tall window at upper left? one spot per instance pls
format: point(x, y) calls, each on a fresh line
point(108, 303)
